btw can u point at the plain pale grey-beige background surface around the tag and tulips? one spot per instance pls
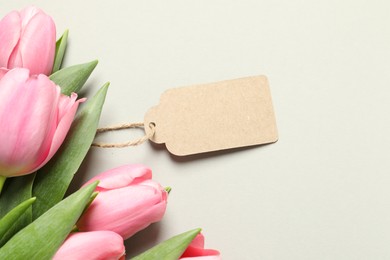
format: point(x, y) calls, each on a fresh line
point(322, 191)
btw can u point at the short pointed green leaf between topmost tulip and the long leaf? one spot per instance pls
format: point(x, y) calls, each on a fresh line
point(72, 79)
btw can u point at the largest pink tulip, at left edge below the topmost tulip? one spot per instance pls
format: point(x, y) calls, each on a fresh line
point(34, 120)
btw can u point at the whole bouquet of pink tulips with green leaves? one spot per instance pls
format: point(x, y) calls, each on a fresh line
point(44, 140)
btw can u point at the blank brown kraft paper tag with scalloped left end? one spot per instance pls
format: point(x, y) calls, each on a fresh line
point(216, 116)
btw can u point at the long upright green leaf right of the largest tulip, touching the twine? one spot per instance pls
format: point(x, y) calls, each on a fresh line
point(53, 179)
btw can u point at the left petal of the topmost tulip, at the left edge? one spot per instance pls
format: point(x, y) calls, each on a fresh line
point(10, 29)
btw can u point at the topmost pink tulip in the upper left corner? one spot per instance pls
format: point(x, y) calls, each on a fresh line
point(28, 40)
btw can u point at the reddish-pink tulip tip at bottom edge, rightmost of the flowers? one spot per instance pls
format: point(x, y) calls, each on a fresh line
point(196, 250)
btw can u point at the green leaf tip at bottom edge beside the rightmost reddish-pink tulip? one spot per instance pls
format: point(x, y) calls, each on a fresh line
point(170, 249)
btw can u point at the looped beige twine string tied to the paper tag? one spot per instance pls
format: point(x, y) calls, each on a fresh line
point(135, 142)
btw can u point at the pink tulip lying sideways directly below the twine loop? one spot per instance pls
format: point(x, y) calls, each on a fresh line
point(128, 201)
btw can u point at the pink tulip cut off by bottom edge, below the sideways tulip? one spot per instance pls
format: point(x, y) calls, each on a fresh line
point(103, 245)
